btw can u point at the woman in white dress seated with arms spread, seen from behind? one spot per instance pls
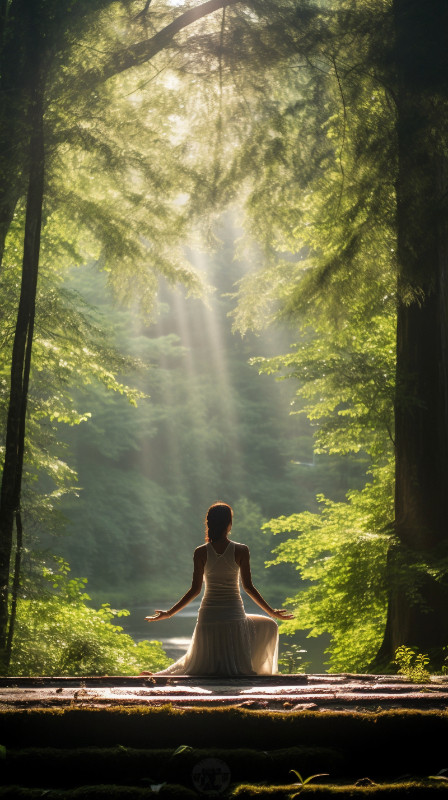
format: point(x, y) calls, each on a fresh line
point(226, 641)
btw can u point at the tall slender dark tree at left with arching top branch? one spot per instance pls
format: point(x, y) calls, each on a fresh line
point(35, 36)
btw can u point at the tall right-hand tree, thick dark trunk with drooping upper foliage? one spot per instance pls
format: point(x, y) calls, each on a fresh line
point(370, 156)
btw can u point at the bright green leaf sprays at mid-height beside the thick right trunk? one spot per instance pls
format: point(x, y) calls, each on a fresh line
point(345, 376)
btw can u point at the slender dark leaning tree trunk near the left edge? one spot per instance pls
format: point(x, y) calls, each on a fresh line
point(21, 362)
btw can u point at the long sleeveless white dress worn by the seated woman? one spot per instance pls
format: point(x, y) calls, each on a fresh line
point(226, 640)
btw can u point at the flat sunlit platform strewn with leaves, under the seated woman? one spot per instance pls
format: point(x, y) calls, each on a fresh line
point(326, 692)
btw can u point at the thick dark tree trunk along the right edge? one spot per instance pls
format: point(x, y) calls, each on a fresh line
point(418, 602)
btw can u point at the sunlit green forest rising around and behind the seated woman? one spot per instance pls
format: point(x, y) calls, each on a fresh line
point(223, 268)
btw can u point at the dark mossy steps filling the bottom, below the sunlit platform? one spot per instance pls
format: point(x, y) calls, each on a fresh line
point(122, 751)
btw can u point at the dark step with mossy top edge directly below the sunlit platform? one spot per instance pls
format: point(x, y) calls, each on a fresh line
point(224, 727)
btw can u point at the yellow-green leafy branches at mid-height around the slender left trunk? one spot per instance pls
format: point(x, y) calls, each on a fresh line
point(72, 347)
